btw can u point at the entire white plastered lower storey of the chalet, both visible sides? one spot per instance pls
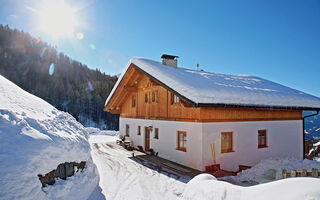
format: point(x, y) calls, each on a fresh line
point(284, 138)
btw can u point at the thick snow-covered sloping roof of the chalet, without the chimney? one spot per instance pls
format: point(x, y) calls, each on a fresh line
point(223, 90)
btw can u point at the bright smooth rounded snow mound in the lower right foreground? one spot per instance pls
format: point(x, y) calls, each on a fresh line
point(205, 186)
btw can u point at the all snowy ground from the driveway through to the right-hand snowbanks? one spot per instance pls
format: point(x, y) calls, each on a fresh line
point(122, 178)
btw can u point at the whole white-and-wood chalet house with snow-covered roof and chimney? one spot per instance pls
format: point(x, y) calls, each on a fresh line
point(198, 118)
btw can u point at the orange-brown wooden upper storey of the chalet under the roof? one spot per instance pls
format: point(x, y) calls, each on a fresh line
point(141, 96)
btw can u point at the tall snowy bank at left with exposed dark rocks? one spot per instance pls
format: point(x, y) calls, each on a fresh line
point(34, 138)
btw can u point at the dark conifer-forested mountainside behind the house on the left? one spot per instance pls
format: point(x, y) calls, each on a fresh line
point(67, 84)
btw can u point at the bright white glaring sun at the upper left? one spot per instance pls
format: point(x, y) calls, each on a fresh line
point(57, 18)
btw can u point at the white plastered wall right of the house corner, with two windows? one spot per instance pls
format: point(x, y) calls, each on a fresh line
point(284, 139)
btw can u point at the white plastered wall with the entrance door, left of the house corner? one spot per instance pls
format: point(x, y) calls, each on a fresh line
point(167, 143)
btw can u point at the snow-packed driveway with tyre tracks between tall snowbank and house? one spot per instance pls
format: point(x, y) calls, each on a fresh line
point(123, 178)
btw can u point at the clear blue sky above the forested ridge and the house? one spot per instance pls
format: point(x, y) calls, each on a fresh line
point(276, 40)
